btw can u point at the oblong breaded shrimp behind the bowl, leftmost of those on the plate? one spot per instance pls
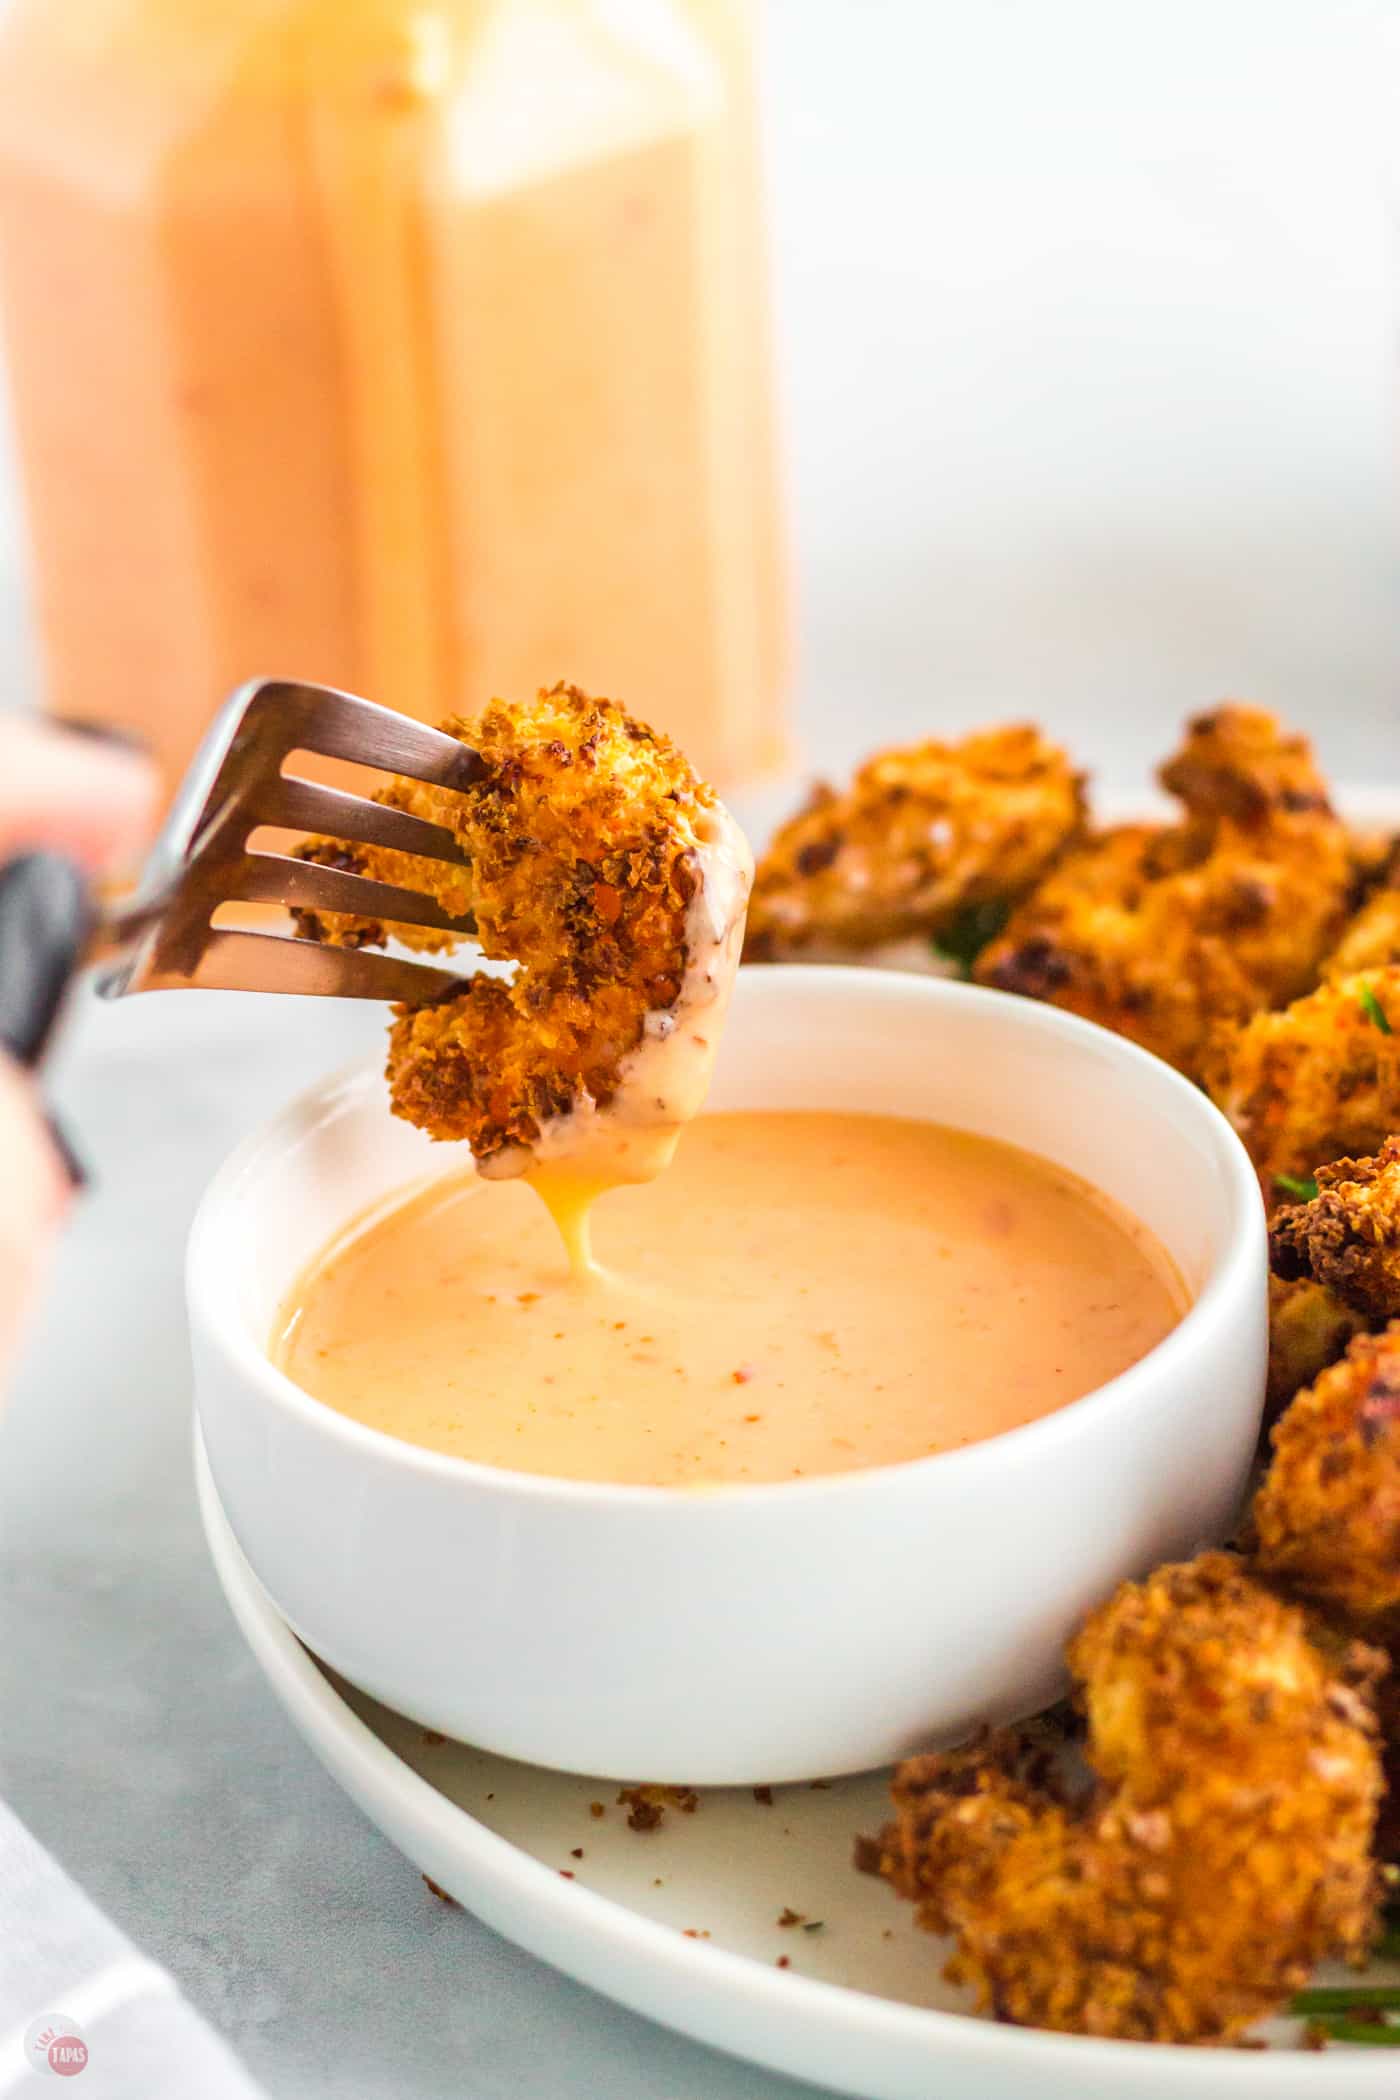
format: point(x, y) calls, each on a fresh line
point(920, 837)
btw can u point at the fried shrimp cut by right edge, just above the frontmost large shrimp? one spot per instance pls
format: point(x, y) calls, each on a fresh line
point(1328, 1513)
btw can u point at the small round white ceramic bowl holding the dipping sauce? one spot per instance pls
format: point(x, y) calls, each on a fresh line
point(752, 1633)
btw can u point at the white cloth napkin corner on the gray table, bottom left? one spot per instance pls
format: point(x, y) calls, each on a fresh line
point(79, 2002)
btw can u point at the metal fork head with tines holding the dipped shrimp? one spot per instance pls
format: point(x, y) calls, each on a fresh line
point(236, 784)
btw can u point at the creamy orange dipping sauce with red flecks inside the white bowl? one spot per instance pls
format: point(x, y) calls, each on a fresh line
point(797, 1295)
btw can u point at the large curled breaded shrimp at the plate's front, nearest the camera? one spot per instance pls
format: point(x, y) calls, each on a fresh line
point(1225, 1845)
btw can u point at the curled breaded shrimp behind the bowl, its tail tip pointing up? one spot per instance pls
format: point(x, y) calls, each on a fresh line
point(1162, 933)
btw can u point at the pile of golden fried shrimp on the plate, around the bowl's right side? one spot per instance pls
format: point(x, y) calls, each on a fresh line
point(1231, 1822)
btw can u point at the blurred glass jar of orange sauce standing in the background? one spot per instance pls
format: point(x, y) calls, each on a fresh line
point(408, 345)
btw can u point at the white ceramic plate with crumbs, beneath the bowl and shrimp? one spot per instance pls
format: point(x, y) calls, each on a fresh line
point(862, 2007)
